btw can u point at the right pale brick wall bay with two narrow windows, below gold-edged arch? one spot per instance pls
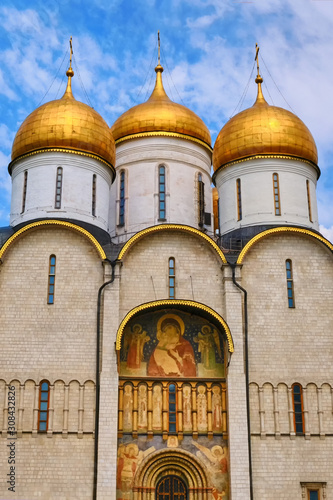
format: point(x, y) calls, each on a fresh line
point(287, 346)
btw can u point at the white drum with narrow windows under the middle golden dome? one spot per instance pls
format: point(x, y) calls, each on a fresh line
point(140, 160)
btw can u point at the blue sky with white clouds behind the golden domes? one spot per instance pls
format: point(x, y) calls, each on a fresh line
point(207, 50)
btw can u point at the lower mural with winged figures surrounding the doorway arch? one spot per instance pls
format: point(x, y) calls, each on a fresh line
point(211, 453)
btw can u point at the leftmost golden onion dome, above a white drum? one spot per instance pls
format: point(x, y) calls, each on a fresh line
point(65, 124)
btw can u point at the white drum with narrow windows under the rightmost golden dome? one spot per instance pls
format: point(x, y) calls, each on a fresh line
point(257, 196)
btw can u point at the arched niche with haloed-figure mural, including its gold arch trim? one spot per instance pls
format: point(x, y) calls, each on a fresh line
point(174, 339)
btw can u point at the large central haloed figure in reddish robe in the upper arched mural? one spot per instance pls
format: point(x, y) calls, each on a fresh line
point(173, 355)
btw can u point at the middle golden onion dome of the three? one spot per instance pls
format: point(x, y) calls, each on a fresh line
point(160, 116)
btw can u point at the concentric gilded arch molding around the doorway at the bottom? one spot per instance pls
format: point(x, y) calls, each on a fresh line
point(174, 462)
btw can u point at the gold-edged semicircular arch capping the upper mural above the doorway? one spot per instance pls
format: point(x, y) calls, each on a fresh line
point(181, 304)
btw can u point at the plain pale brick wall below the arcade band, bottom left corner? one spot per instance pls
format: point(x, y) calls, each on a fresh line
point(52, 469)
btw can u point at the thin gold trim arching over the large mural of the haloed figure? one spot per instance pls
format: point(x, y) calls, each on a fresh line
point(175, 303)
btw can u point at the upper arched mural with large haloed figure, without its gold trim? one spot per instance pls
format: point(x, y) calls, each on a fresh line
point(171, 344)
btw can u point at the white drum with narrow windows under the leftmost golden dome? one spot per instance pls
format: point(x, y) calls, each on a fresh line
point(76, 201)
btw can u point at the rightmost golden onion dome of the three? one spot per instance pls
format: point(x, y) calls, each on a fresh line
point(263, 130)
